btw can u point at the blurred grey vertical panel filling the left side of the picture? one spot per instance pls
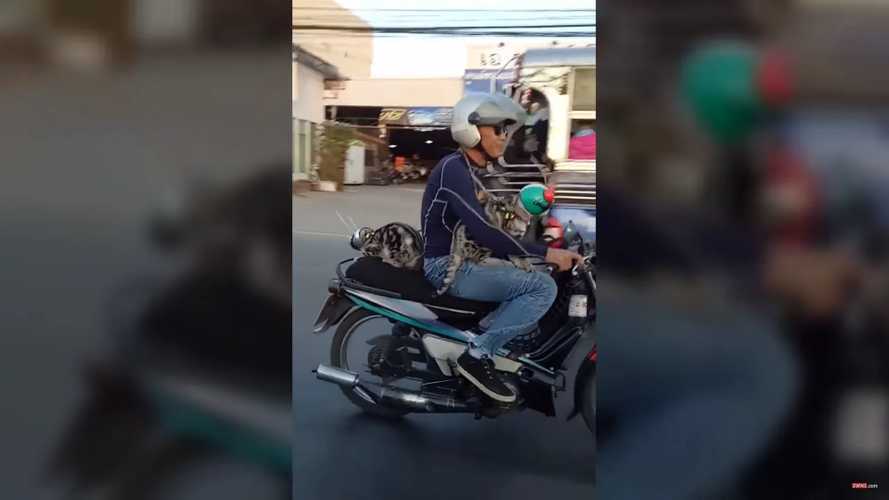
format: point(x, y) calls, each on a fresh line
point(145, 229)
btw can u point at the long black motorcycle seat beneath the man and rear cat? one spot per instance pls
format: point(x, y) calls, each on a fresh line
point(412, 285)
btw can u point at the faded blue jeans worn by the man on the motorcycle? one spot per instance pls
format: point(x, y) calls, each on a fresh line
point(524, 298)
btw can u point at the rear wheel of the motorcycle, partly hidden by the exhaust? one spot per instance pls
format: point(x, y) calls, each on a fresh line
point(348, 352)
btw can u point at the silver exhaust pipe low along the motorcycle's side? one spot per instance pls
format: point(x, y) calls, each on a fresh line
point(393, 396)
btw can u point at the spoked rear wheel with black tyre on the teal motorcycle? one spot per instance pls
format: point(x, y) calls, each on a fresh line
point(357, 346)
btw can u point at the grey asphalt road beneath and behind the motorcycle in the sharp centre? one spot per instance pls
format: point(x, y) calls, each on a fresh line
point(340, 454)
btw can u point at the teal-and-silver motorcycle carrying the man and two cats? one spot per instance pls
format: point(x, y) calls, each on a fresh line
point(405, 363)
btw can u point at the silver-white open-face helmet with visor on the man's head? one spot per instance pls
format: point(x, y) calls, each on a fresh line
point(476, 109)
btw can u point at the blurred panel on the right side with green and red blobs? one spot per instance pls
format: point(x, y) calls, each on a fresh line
point(744, 180)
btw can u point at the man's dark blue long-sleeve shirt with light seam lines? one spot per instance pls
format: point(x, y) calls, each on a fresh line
point(450, 198)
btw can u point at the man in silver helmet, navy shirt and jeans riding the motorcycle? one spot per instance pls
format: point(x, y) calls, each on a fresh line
point(481, 125)
